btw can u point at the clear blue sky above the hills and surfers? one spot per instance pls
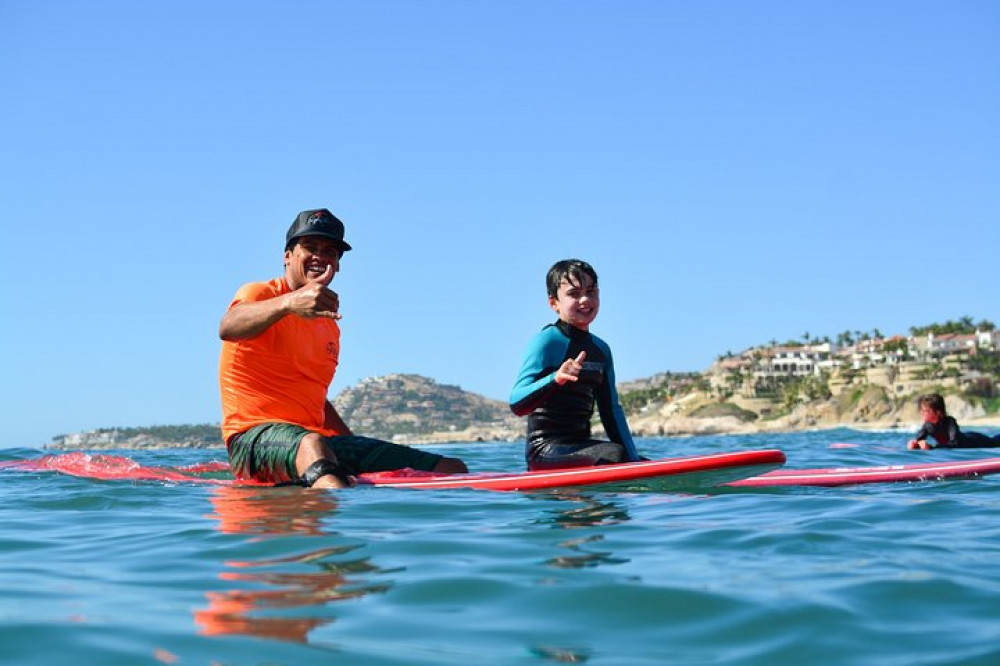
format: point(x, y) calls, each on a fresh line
point(735, 171)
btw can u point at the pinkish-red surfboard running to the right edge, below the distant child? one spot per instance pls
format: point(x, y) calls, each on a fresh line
point(843, 476)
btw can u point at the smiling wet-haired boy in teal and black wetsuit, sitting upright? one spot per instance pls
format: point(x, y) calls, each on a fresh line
point(566, 371)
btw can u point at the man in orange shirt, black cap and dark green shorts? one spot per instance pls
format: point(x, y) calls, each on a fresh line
point(280, 349)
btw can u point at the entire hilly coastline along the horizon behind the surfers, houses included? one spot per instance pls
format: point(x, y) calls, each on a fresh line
point(860, 379)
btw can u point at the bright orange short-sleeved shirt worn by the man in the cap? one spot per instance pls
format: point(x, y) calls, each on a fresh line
point(283, 374)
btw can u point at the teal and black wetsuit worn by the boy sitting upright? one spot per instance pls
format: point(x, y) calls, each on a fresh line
point(559, 416)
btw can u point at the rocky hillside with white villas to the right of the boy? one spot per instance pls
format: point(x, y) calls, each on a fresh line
point(859, 379)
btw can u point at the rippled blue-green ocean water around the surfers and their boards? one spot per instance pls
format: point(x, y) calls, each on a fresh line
point(148, 572)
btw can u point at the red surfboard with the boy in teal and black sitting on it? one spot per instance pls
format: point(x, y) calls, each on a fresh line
point(668, 474)
